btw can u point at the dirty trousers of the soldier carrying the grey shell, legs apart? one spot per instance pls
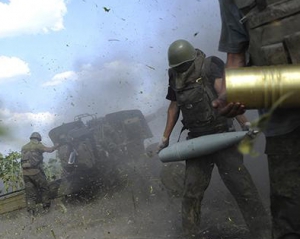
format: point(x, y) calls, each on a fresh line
point(238, 181)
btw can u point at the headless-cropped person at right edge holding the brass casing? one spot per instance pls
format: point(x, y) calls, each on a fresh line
point(269, 31)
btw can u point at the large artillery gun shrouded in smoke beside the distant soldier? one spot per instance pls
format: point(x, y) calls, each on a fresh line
point(95, 148)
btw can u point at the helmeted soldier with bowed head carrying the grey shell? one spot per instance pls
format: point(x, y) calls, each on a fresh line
point(194, 82)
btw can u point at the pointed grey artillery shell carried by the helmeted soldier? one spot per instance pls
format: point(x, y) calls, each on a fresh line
point(197, 147)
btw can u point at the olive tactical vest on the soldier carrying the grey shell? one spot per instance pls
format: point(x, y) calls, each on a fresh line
point(194, 96)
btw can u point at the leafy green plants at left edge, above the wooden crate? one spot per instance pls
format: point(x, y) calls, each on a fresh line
point(10, 171)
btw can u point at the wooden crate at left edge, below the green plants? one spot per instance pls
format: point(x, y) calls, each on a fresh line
point(12, 201)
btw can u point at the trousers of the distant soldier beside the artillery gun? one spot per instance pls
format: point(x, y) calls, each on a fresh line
point(37, 190)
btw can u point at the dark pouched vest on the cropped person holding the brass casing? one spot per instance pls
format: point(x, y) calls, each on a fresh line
point(274, 31)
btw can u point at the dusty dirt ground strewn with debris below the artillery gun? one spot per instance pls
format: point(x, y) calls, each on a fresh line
point(139, 206)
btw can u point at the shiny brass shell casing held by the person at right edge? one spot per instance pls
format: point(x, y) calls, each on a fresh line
point(261, 87)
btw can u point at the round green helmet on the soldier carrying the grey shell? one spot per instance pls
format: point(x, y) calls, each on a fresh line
point(179, 52)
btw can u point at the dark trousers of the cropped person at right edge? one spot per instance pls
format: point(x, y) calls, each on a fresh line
point(284, 172)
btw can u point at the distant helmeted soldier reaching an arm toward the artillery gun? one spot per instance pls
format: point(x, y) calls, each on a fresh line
point(36, 185)
